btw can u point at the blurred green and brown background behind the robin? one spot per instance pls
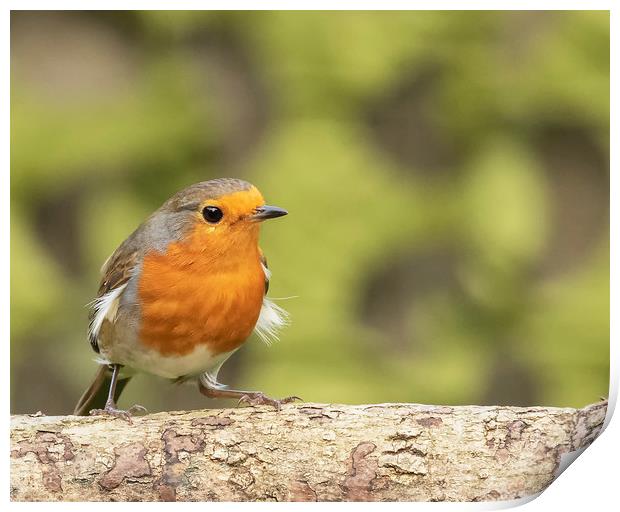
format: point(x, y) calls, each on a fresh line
point(446, 173)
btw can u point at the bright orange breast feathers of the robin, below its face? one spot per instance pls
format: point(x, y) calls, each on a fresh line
point(200, 293)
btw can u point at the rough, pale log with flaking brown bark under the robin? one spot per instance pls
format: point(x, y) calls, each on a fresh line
point(305, 452)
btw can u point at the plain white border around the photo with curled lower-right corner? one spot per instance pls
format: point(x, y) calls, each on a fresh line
point(589, 483)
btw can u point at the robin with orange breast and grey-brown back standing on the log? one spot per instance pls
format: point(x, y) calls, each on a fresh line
point(182, 294)
